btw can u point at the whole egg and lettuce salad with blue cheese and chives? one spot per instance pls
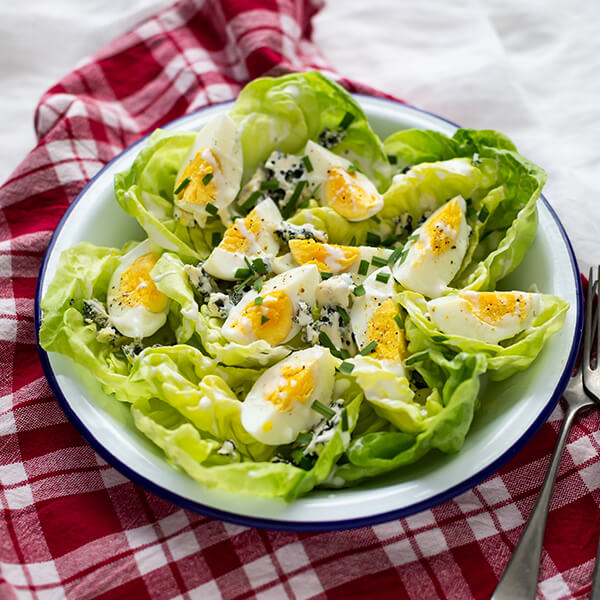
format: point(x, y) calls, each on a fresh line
point(312, 306)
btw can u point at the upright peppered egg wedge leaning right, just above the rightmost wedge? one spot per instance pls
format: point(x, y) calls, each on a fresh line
point(435, 256)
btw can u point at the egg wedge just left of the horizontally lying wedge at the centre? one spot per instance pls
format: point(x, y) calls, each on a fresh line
point(247, 238)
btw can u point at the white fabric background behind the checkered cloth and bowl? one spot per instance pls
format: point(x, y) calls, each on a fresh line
point(530, 69)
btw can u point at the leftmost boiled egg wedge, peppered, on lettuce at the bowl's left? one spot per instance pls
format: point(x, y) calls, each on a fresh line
point(135, 306)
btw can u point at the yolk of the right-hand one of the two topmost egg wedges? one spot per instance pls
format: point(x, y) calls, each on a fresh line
point(345, 194)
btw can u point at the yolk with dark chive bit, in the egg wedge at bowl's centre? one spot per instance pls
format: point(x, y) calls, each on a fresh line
point(271, 320)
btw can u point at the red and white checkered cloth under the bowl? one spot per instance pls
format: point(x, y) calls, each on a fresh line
point(71, 526)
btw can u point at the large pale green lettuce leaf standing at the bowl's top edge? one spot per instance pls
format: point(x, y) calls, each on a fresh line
point(283, 113)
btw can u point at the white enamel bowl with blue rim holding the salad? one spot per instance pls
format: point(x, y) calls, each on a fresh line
point(511, 411)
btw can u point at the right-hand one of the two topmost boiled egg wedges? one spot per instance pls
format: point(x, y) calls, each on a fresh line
point(349, 192)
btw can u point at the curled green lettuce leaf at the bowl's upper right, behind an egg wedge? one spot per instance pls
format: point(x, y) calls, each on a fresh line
point(501, 186)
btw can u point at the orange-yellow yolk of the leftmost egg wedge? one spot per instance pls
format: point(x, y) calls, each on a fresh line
point(136, 288)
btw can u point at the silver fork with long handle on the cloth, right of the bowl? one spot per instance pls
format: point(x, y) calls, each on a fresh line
point(583, 390)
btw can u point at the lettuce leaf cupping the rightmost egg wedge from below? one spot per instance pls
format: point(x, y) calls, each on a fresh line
point(503, 360)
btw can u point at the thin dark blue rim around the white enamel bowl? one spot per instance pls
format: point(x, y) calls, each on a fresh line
point(302, 526)
